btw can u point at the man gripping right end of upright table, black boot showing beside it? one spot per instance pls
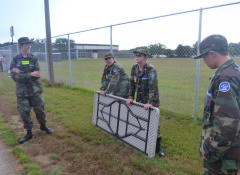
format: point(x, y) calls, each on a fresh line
point(144, 82)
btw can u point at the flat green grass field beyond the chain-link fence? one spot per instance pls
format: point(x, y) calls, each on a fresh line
point(177, 80)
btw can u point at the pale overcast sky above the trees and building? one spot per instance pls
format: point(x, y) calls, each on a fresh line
point(70, 16)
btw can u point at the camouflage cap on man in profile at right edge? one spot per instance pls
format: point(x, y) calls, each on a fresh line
point(216, 43)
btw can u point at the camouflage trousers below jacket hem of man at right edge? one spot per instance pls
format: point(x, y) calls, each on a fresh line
point(215, 168)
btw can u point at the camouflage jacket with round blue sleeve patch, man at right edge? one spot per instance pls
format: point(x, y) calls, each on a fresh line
point(221, 120)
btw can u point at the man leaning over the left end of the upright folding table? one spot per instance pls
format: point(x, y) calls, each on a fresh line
point(115, 81)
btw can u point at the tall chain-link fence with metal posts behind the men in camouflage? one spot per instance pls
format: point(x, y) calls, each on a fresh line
point(183, 81)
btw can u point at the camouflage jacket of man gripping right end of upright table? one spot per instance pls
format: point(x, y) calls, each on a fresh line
point(145, 84)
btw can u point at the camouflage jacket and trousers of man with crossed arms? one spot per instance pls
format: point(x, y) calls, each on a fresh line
point(28, 89)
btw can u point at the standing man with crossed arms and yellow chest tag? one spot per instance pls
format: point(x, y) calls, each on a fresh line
point(25, 72)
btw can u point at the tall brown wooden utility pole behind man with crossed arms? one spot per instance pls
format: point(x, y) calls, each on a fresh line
point(49, 43)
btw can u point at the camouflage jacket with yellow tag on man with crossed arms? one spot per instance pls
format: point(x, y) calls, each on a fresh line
point(26, 85)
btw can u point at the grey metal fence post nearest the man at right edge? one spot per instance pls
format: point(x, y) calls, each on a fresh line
point(198, 66)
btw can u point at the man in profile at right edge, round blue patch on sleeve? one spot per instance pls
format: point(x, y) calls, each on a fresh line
point(220, 140)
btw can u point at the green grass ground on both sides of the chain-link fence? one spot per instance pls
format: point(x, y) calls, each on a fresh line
point(87, 144)
